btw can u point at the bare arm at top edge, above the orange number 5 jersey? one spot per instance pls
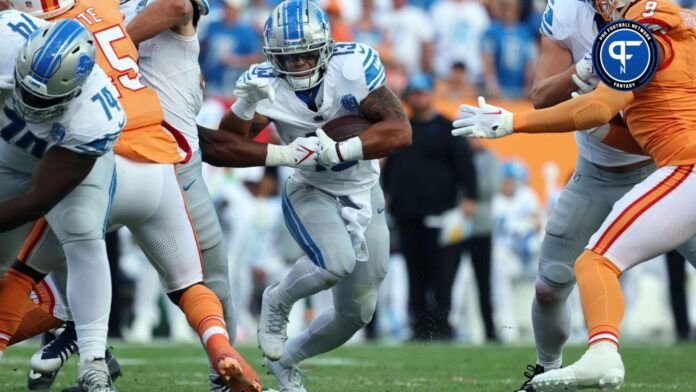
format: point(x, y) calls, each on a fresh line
point(158, 17)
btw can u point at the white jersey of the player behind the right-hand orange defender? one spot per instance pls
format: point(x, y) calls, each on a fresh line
point(571, 24)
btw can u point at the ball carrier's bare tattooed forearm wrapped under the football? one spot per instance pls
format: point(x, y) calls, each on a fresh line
point(385, 137)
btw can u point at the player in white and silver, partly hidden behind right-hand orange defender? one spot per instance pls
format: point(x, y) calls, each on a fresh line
point(603, 173)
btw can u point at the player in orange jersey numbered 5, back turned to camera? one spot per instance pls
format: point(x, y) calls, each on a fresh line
point(156, 215)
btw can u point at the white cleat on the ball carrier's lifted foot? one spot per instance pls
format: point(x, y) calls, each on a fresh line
point(273, 323)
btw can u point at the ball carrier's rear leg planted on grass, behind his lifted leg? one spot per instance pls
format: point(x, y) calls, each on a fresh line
point(354, 298)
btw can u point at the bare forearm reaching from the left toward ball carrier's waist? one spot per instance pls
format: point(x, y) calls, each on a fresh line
point(230, 149)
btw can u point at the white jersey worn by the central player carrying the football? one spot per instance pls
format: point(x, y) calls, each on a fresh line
point(354, 71)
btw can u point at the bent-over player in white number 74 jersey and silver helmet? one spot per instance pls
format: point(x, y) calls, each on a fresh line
point(59, 122)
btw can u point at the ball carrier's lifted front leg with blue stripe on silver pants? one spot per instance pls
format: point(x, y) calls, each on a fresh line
point(315, 222)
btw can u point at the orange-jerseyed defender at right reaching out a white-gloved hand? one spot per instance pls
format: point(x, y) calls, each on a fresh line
point(656, 214)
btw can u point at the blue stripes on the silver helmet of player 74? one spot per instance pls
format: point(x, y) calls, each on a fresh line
point(49, 56)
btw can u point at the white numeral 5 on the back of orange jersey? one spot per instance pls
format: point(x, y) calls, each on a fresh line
point(129, 77)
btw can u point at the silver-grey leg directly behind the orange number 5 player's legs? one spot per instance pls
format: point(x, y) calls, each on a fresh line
point(209, 234)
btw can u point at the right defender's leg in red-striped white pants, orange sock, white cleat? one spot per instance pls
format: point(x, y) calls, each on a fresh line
point(654, 217)
